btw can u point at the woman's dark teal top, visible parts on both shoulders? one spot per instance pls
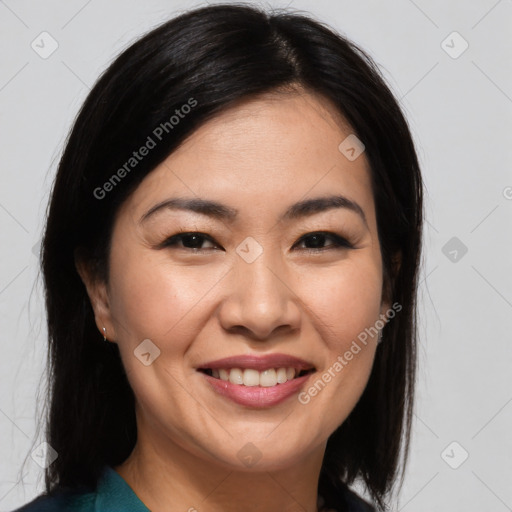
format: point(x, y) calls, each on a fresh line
point(113, 494)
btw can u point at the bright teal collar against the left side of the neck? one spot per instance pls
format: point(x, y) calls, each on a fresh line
point(114, 494)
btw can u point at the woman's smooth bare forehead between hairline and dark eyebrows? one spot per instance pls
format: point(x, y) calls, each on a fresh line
point(266, 152)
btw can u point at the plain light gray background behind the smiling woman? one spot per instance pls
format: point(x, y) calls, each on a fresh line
point(459, 111)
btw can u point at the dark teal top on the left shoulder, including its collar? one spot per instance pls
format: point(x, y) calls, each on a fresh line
point(113, 494)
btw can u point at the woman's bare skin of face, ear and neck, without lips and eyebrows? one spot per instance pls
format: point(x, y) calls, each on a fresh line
point(259, 157)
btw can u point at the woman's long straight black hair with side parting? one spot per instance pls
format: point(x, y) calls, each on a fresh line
point(216, 56)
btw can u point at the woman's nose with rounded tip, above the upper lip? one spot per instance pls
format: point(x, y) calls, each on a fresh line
point(260, 300)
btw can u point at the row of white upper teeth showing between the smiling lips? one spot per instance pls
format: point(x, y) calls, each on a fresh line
point(250, 377)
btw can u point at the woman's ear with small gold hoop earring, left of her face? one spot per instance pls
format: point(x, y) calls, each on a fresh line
point(98, 295)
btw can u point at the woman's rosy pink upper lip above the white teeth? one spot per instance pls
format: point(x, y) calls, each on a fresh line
point(259, 363)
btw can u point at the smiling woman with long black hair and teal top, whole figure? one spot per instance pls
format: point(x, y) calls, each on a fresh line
point(230, 261)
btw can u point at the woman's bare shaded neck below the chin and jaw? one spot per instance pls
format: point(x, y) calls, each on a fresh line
point(167, 477)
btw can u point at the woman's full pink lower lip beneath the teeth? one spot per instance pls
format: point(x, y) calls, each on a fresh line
point(256, 396)
